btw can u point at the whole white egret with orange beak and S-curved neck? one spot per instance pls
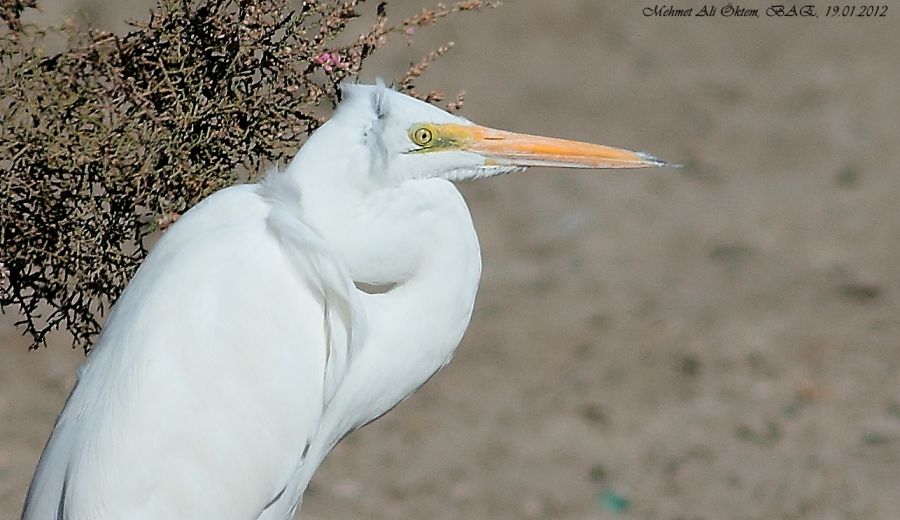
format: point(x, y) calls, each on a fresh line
point(242, 351)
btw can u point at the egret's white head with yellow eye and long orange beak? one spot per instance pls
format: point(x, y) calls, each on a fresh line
point(409, 139)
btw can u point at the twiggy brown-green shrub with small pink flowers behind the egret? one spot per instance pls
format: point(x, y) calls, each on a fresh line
point(106, 143)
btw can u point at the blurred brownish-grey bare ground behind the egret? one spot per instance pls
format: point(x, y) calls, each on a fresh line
point(716, 342)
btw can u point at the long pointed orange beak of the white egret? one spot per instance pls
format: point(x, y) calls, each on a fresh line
point(508, 148)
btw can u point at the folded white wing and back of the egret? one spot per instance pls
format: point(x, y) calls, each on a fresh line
point(210, 376)
